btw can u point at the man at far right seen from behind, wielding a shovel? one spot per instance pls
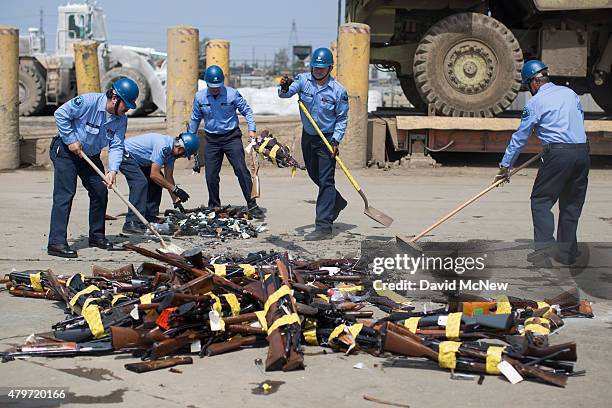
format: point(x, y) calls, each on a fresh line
point(556, 115)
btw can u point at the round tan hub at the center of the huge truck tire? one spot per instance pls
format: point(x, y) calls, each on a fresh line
point(469, 66)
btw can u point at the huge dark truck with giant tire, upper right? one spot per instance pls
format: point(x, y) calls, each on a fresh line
point(464, 57)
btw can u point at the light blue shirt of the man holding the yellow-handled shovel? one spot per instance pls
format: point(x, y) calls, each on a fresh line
point(327, 104)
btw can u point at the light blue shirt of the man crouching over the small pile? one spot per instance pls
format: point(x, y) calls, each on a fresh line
point(151, 148)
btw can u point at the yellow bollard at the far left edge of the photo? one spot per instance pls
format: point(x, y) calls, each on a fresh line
point(9, 98)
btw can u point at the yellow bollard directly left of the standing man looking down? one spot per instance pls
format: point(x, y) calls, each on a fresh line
point(182, 77)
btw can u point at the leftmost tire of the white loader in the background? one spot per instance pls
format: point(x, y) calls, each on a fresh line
point(32, 86)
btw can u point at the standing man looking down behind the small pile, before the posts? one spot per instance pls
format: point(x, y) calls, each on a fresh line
point(217, 106)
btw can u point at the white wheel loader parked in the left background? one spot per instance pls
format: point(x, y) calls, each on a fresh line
point(48, 80)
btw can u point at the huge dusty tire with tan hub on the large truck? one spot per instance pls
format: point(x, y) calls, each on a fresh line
point(468, 64)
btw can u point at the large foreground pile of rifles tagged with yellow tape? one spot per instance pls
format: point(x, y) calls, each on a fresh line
point(209, 306)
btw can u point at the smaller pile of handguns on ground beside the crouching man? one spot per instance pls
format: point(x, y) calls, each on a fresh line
point(219, 222)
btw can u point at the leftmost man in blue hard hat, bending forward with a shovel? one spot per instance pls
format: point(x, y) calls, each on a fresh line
point(87, 124)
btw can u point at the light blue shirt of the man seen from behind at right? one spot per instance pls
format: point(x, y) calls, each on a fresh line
point(556, 114)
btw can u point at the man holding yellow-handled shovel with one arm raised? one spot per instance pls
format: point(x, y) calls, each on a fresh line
point(327, 101)
